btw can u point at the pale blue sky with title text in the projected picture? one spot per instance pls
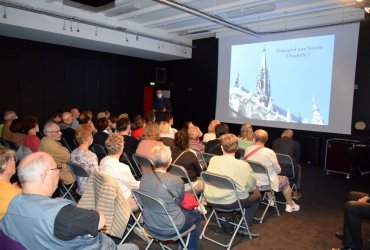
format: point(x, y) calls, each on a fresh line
point(299, 69)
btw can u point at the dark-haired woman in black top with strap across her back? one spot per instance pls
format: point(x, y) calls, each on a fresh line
point(183, 156)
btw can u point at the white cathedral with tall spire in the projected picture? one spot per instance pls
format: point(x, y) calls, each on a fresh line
point(258, 104)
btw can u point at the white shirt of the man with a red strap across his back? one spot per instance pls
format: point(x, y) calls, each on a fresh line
point(266, 157)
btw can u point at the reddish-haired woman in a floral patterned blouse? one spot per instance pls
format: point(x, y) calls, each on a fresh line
point(83, 156)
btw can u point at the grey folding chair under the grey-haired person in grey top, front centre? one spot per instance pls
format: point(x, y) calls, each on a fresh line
point(157, 205)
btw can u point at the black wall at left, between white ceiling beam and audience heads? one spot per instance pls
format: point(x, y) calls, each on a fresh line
point(39, 79)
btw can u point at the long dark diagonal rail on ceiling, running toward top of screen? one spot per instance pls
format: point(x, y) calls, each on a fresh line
point(209, 17)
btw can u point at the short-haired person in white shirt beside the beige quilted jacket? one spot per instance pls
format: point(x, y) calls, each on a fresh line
point(111, 165)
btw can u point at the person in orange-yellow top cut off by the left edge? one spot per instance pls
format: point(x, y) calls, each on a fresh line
point(7, 170)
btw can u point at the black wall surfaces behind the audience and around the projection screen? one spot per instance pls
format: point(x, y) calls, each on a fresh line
point(38, 78)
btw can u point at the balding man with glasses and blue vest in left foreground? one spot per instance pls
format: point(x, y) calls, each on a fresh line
point(39, 222)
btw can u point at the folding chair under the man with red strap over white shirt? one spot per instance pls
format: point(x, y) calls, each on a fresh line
point(262, 170)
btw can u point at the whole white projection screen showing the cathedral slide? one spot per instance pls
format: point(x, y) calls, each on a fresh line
point(300, 80)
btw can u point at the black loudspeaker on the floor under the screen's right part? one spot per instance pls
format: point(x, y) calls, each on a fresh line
point(311, 150)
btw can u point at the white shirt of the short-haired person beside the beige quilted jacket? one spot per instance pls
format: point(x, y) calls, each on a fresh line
point(121, 172)
